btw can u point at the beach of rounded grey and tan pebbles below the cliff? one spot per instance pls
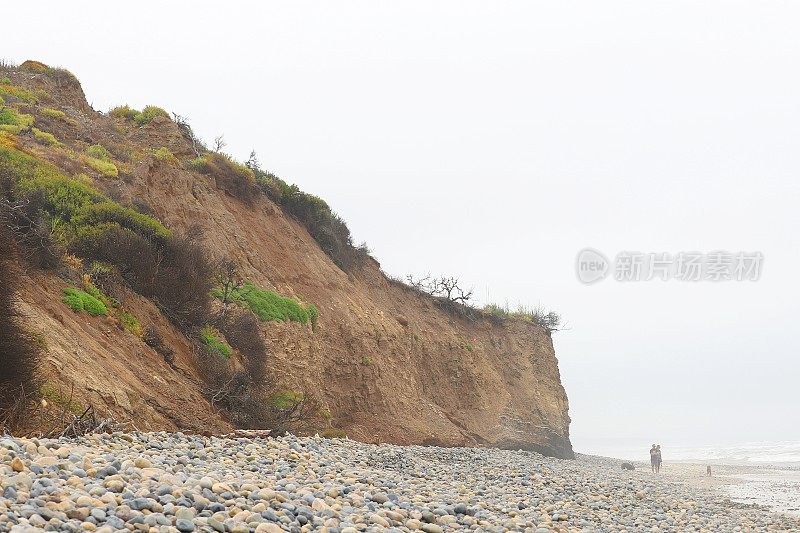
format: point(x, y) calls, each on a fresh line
point(168, 482)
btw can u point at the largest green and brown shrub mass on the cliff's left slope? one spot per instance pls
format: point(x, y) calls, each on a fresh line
point(61, 214)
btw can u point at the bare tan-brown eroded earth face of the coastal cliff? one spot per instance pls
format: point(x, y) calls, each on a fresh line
point(387, 361)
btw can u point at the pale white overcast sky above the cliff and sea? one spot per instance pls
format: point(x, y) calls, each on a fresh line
point(495, 140)
